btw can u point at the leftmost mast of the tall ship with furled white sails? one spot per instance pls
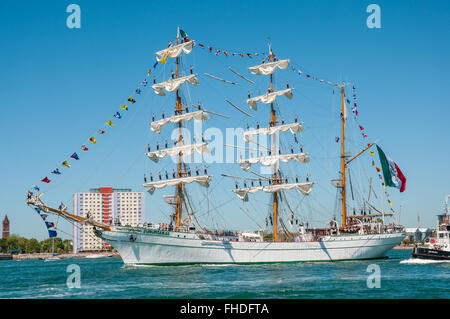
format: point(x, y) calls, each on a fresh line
point(181, 175)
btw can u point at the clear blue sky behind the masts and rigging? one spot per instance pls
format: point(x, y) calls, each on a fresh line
point(59, 85)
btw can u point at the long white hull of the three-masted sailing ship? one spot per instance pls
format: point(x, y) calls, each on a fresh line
point(166, 249)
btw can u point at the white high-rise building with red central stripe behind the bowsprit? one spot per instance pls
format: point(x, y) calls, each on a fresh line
point(119, 206)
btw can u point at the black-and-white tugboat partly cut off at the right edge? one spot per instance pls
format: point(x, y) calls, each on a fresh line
point(439, 247)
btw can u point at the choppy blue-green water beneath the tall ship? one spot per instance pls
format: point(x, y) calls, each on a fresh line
point(109, 278)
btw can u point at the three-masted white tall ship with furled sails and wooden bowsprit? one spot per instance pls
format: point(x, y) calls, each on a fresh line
point(185, 240)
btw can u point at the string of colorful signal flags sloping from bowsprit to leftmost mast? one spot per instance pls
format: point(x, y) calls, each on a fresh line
point(93, 139)
